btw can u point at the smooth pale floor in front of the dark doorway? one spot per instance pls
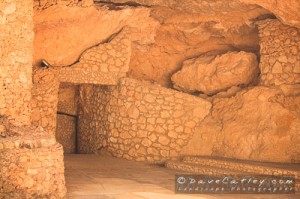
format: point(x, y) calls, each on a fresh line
point(97, 177)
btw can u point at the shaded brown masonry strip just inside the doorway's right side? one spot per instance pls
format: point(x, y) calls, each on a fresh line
point(93, 125)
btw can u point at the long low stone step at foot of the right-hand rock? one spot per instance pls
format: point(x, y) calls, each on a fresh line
point(246, 166)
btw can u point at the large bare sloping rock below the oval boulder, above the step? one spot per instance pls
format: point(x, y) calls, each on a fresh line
point(260, 124)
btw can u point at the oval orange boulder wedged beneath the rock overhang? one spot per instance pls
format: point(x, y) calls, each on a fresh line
point(211, 75)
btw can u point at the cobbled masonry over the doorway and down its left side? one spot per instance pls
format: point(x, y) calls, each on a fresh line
point(103, 64)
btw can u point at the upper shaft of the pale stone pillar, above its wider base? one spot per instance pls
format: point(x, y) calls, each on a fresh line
point(16, 39)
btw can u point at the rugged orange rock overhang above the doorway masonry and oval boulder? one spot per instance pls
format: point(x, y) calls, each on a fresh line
point(163, 37)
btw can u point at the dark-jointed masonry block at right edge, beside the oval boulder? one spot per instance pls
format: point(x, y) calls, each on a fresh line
point(280, 53)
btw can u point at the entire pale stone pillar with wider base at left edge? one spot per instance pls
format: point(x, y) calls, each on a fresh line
point(31, 161)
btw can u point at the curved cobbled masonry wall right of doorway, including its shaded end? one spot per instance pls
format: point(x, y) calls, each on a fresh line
point(138, 120)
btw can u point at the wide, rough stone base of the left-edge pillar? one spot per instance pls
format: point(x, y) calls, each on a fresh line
point(31, 166)
